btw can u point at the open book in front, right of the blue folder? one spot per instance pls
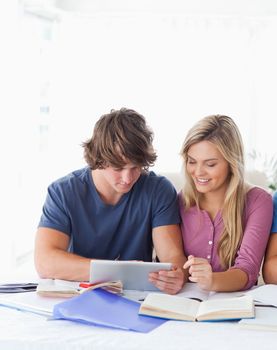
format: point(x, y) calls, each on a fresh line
point(180, 308)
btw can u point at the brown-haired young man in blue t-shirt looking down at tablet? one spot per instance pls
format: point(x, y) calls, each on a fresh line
point(112, 209)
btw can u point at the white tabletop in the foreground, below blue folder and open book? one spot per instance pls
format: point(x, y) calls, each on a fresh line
point(23, 330)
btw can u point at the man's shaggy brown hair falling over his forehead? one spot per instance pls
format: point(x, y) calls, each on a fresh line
point(120, 136)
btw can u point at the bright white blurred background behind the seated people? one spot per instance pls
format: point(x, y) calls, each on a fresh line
point(64, 63)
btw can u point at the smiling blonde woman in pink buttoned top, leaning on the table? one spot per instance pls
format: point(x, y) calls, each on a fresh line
point(225, 221)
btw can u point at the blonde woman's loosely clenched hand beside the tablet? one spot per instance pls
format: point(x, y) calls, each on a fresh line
point(200, 272)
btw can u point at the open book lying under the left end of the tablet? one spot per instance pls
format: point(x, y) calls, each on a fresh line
point(66, 289)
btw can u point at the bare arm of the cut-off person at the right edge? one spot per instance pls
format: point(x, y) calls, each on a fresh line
point(270, 261)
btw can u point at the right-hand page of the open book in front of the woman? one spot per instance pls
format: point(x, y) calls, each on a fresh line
point(227, 308)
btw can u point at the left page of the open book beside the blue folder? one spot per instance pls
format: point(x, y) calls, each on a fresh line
point(171, 303)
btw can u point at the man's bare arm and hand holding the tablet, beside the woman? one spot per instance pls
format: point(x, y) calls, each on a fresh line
point(169, 248)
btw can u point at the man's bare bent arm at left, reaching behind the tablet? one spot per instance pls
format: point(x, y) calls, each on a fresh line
point(52, 259)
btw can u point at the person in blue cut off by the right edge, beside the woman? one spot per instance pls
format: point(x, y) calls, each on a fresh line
point(270, 263)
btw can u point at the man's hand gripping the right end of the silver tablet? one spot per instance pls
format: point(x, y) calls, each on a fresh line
point(170, 282)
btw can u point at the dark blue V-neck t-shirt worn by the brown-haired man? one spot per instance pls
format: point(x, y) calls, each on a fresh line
point(102, 231)
